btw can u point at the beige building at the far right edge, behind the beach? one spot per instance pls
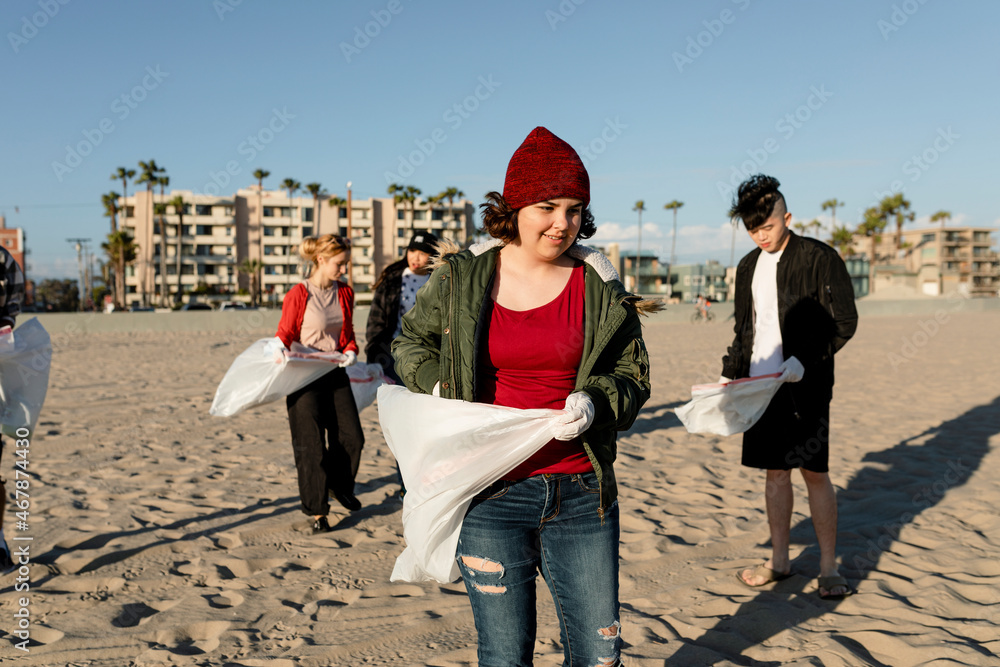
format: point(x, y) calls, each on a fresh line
point(934, 261)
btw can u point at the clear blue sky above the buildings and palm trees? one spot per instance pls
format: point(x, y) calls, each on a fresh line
point(665, 100)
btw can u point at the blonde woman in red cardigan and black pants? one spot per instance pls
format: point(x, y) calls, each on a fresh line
point(326, 431)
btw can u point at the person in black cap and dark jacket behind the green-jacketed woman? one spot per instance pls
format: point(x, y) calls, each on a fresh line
point(395, 293)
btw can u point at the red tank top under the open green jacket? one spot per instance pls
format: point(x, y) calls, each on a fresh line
point(531, 361)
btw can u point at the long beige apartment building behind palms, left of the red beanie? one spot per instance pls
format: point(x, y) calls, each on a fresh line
point(220, 233)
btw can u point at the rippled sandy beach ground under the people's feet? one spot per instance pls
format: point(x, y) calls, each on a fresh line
point(164, 536)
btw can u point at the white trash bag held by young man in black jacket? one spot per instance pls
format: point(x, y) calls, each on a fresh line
point(733, 407)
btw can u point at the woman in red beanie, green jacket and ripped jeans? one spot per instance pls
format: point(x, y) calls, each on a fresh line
point(533, 319)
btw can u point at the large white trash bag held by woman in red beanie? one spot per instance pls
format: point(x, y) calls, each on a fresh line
point(448, 451)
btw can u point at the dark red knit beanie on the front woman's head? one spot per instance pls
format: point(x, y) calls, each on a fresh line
point(545, 167)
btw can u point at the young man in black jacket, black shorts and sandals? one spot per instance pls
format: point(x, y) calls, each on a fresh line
point(793, 299)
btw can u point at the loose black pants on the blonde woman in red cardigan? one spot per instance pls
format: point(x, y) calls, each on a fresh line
point(327, 439)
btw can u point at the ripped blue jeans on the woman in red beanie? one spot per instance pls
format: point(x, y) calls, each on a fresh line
point(547, 524)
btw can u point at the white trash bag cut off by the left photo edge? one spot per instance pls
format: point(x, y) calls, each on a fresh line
point(25, 359)
